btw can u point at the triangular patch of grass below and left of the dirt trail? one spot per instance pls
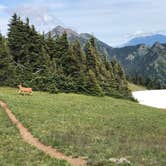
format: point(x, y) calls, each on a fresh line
point(13, 151)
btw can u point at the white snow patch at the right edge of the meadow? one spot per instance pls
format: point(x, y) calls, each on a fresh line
point(153, 98)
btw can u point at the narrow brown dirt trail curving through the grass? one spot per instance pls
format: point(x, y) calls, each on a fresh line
point(30, 139)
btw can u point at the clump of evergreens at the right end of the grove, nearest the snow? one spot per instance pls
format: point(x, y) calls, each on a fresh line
point(110, 77)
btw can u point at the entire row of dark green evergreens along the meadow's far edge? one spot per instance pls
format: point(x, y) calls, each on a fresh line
point(52, 64)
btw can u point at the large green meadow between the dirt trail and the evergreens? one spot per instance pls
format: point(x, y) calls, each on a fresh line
point(97, 128)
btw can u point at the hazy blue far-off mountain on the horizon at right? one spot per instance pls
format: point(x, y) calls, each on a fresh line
point(148, 40)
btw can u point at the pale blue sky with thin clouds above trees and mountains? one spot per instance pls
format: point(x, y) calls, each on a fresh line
point(112, 21)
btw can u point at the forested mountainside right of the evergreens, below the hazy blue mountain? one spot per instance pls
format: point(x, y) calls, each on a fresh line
point(147, 65)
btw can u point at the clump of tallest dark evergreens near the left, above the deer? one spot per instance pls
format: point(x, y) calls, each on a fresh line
point(28, 50)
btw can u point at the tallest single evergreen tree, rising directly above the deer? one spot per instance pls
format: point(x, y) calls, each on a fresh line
point(17, 42)
